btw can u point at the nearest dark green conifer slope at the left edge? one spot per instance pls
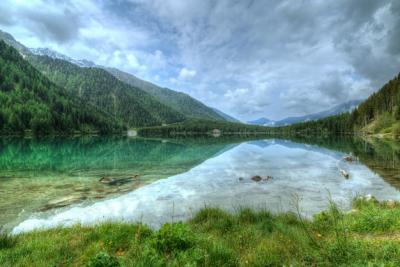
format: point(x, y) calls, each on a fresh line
point(29, 101)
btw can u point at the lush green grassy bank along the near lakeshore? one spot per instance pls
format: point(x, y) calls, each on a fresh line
point(369, 235)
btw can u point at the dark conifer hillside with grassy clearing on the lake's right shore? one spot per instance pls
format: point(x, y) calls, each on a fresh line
point(379, 114)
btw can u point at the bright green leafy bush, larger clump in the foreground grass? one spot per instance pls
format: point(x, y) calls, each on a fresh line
point(172, 237)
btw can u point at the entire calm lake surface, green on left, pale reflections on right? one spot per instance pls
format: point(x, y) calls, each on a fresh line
point(57, 182)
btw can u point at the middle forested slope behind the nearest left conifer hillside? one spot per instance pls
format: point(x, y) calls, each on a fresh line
point(101, 89)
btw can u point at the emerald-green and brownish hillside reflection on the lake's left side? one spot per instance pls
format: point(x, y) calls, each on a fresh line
point(38, 175)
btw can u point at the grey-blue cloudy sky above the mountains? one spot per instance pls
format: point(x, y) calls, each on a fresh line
point(248, 58)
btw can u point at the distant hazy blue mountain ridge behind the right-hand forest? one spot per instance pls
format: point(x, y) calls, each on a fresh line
point(338, 109)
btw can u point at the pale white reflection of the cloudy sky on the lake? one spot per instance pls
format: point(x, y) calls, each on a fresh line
point(298, 169)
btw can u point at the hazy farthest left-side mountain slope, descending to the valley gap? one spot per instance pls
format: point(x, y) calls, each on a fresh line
point(181, 102)
